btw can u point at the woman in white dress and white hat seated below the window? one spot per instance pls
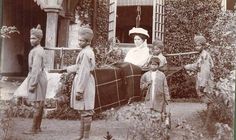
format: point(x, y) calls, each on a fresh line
point(139, 55)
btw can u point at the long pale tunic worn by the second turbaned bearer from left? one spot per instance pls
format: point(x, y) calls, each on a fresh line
point(84, 81)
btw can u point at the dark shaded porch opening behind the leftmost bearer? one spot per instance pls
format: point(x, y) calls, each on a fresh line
point(24, 14)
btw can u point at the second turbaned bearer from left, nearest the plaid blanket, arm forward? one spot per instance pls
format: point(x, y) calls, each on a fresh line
point(83, 87)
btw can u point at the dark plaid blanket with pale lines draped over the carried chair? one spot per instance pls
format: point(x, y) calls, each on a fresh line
point(116, 86)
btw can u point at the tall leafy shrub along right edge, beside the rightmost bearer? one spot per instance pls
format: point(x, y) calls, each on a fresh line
point(223, 52)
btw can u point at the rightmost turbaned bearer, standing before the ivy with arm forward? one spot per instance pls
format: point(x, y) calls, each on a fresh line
point(203, 66)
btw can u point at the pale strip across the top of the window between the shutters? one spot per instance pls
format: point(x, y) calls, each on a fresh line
point(134, 2)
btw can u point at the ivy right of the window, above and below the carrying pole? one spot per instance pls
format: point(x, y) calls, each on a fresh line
point(183, 20)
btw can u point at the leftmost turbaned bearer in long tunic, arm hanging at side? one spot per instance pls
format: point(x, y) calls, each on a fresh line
point(37, 80)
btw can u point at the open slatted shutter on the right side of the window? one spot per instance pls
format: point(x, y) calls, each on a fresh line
point(158, 19)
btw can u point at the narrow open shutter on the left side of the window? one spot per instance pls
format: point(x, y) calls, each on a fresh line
point(112, 19)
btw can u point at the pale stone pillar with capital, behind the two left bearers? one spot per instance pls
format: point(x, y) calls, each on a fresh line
point(51, 35)
